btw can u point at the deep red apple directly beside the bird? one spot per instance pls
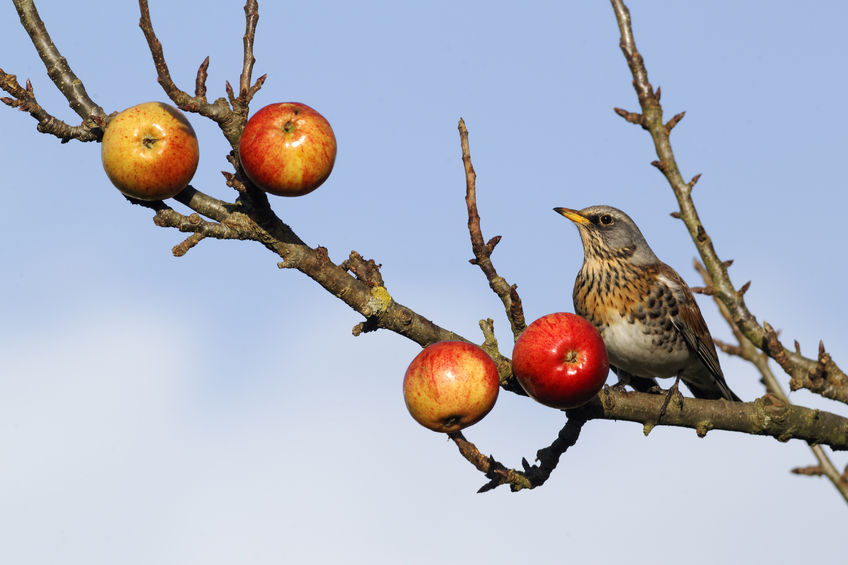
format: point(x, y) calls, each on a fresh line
point(560, 360)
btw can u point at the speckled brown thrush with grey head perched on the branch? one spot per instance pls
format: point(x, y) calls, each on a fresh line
point(645, 312)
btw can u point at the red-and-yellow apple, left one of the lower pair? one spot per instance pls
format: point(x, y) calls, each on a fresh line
point(450, 385)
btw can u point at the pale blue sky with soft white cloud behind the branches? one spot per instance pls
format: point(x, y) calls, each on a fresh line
point(214, 409)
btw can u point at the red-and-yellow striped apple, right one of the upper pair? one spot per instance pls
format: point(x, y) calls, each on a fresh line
point(287, 149)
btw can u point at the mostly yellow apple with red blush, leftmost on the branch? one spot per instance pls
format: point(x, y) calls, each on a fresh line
point(150, 151)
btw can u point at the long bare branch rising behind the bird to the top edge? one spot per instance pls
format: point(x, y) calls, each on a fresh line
point(820, 375)
